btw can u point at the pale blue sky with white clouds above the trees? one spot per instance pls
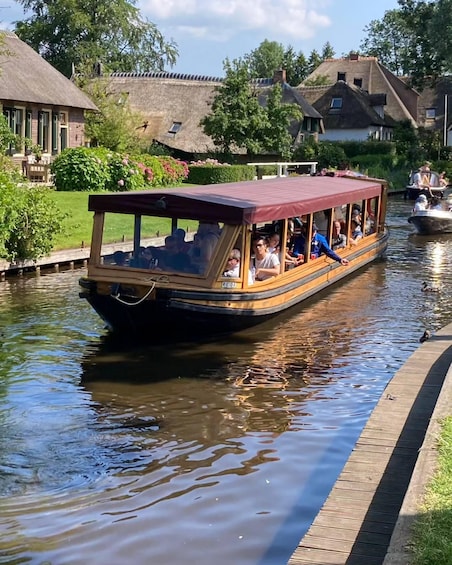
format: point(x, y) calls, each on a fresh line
point(209, 31)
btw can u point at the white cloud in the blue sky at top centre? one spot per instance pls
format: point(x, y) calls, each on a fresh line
point(285, 20)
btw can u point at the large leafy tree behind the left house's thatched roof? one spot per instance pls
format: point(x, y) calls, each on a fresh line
point(80, 34)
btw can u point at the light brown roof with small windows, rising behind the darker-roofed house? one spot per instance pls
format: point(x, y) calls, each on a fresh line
point(374, 78)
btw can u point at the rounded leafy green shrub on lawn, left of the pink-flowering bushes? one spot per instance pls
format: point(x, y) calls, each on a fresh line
point(81, 169)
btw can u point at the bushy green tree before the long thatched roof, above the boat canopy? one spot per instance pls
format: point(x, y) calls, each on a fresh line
point(238, 121)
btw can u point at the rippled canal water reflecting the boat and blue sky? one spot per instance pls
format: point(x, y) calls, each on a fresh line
point(218, 452)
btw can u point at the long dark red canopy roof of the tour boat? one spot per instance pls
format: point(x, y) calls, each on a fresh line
point(241, 203)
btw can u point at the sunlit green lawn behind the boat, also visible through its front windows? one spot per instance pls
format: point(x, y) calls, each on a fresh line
point(79, 222)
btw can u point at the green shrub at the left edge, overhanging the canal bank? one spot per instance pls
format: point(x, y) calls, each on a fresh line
point(29, 220)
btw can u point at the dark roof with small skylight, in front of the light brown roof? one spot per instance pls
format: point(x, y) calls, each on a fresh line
point(358, 107)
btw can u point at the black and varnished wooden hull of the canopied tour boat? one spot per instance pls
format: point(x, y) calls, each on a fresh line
point(187, 313)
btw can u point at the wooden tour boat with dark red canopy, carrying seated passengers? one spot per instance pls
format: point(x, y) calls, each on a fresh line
point(180, 300)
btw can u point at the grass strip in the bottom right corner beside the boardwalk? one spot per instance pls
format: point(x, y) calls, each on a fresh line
point(432, 540)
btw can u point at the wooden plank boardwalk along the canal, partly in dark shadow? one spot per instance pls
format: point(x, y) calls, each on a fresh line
point(355, 525)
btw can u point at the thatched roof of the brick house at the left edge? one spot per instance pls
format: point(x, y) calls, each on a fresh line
point(26, 77)
